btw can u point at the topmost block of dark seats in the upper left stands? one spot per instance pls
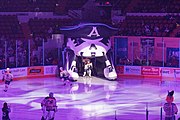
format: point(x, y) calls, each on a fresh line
point(55, 6)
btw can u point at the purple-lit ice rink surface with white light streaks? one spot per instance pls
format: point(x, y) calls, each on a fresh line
point(90, 98)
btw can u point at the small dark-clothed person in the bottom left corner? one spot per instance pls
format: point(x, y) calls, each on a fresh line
point(5, 112)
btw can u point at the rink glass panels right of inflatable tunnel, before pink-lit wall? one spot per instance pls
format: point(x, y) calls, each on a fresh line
point(147, 51)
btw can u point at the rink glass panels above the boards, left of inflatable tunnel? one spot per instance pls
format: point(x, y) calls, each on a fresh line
point(24, 53)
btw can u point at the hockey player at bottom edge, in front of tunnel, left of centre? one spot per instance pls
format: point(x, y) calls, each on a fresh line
point(49, 107)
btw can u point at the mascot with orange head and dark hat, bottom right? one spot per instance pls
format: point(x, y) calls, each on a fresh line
point(169, 107)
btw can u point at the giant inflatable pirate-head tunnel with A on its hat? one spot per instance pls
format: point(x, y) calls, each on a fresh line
point(92, 41)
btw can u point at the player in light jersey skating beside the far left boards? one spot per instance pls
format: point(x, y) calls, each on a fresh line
point(7, 77)
